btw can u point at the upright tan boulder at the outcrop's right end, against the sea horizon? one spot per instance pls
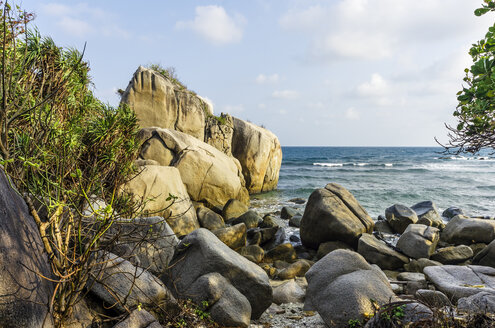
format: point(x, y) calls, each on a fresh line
point(260, 154)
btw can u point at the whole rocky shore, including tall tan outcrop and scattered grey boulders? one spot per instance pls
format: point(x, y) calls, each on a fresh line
point(316, 262)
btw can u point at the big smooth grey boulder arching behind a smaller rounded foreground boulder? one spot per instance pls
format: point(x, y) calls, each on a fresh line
point(200, 253)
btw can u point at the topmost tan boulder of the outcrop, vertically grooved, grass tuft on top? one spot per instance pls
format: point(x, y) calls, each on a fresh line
point(159, 102)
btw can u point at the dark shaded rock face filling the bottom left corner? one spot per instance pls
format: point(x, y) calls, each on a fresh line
point(24, 295)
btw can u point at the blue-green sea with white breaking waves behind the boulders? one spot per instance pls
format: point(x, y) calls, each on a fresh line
point(382, 176)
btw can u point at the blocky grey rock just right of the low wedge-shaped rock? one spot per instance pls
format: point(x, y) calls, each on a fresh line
point(418, 241)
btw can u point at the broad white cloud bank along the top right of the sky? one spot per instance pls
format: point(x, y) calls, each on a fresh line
point(377, 29)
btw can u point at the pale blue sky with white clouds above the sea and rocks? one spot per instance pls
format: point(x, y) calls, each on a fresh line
point(316, 73)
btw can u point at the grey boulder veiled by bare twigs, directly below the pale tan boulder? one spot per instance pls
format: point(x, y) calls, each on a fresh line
point(148, 243)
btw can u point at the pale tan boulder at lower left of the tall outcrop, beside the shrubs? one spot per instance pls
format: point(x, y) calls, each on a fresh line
point(153, 186)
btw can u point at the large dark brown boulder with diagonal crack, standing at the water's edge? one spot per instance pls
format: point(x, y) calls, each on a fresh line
point(333, 214)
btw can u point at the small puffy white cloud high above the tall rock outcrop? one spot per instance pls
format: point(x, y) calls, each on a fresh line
point(214, 25)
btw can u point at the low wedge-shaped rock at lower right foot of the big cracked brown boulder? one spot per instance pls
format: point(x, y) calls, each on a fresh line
point(377, 252)
